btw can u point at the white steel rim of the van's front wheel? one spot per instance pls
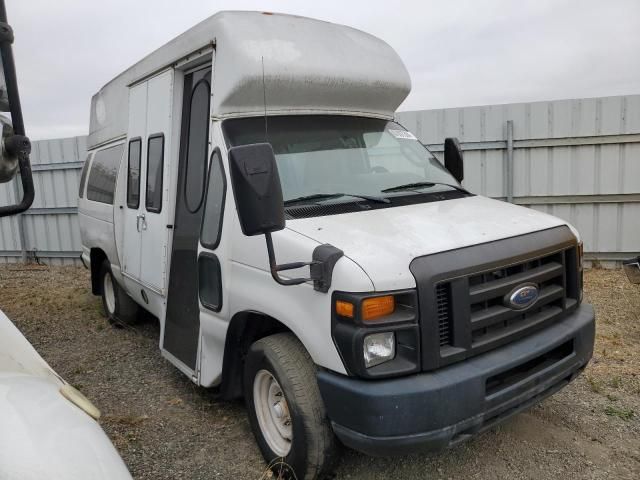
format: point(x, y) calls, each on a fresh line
point(273, 414)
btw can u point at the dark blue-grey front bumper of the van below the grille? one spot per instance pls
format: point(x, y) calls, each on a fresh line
point(434, 410)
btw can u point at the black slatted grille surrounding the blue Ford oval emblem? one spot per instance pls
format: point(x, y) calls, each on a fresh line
point(481, 318)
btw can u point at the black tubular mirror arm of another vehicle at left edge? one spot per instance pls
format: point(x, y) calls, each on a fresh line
point(14, 145)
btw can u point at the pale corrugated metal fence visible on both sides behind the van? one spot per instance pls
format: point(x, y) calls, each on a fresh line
point(577, 159)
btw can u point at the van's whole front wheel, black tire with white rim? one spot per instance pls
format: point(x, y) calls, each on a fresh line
point(286, 412)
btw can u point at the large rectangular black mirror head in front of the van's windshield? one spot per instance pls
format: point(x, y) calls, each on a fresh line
point(256, 185)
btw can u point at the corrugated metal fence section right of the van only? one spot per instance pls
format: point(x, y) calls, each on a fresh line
point(576, 159)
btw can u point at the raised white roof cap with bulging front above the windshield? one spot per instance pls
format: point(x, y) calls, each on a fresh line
point(310, 66)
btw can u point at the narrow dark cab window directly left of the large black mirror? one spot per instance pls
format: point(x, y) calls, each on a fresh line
point(214, 204)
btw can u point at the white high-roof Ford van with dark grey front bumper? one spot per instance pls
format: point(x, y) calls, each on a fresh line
point(395, 310)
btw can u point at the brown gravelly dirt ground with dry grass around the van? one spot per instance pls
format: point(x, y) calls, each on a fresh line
point(167, 428)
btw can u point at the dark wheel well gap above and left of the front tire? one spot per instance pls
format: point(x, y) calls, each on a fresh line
point(244, 329)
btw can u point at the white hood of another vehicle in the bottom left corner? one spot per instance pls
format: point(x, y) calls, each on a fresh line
point(42, 434)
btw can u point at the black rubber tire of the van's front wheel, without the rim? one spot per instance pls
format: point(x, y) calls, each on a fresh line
point(313, 447)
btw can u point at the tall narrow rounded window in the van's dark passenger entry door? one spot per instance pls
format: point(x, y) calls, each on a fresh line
point(195, 177)
